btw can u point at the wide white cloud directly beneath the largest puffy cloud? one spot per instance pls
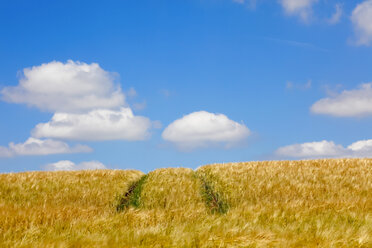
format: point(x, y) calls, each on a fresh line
point(101, 124)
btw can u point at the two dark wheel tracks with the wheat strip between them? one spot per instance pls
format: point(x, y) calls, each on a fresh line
point(173, 189)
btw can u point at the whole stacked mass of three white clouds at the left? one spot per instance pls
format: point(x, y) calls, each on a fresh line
point(87, 104)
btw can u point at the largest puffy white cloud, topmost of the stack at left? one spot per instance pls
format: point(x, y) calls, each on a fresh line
point(66, 87)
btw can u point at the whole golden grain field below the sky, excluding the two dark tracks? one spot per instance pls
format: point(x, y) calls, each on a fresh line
point(320, 203)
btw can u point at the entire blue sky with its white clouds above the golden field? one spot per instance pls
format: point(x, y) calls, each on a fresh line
point(190, 82)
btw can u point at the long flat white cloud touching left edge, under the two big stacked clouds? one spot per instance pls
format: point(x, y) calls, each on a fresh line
point(34, 146)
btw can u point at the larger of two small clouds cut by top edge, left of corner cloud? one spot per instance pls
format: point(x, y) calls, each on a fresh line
point(301, 8)
